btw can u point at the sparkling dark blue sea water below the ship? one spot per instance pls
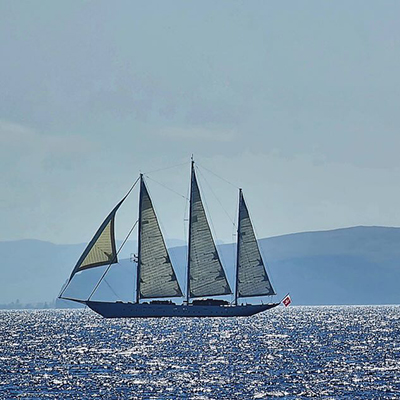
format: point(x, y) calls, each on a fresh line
point(293, 353)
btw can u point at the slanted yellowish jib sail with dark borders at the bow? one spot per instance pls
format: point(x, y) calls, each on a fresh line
point(101, 249)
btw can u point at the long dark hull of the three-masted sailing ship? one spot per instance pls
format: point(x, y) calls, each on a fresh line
point(134, 310)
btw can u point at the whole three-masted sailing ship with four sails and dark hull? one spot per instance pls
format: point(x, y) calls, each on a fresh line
point(156, 278)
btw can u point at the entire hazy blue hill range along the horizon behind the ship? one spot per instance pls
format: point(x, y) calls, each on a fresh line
point(359, 265)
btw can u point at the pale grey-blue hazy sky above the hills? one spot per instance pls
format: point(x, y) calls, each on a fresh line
point(297, 102)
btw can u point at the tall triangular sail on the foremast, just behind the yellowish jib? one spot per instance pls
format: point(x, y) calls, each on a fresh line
point(156, 275)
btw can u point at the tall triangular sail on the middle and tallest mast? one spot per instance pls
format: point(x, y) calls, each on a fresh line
point(206, 274)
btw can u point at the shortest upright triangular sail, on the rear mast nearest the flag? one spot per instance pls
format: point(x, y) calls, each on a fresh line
point(252, 278)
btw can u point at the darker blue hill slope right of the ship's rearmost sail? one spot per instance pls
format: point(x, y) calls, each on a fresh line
point(359, 265)
